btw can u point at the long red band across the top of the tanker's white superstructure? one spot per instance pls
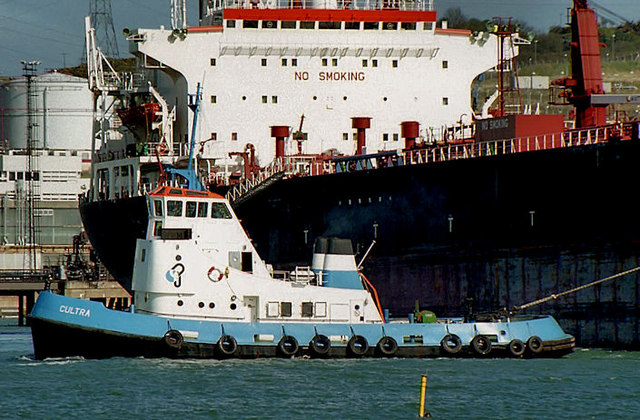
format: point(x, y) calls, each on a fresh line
point(331, 15)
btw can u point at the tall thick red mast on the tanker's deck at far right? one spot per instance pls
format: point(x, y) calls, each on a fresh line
point(586, 73)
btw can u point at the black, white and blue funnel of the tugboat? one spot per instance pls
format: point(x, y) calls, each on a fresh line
point(333, 257)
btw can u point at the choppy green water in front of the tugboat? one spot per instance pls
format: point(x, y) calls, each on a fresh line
point(587, 384)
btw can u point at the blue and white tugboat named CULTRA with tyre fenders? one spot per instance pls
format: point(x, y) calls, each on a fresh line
point(202, 291)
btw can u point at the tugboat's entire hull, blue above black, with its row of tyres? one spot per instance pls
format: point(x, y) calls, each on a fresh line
point(66, 327)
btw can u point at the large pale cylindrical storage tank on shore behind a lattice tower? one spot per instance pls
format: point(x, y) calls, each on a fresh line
point(63, 110)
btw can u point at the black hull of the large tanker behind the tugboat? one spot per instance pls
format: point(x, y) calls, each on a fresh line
point(491, 232)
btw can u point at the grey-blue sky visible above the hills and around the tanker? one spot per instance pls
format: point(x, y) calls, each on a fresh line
point(52, 31)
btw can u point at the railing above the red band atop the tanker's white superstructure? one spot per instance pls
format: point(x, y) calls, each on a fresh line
point(412, 5)
